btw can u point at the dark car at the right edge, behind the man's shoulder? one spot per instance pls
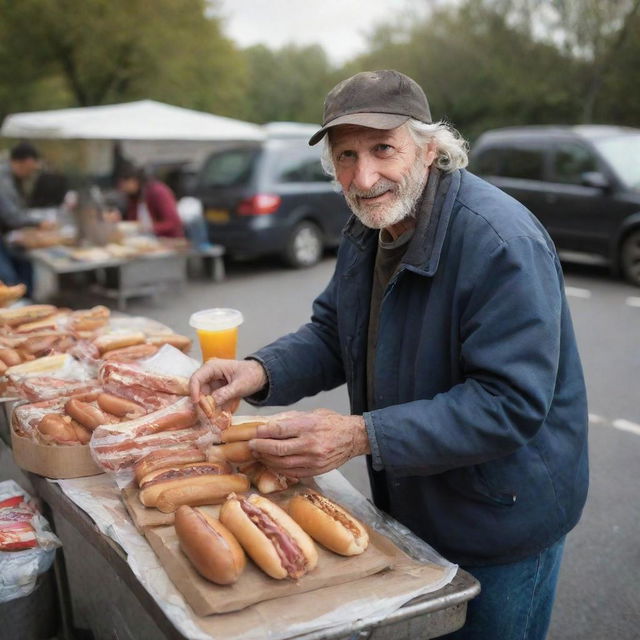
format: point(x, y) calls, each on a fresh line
point(582, 182)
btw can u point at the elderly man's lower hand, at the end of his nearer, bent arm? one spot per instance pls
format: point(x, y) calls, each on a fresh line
point(301, 444)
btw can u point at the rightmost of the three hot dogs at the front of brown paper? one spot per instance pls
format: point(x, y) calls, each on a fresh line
point(328, 523)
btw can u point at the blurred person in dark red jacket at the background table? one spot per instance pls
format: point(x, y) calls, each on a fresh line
point(150, 202)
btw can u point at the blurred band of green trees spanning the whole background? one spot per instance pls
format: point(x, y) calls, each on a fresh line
point(482, 63)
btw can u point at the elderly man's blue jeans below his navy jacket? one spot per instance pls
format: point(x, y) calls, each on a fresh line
point(516, 599)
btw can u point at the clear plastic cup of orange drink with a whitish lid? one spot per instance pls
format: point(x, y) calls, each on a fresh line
point(217, 331)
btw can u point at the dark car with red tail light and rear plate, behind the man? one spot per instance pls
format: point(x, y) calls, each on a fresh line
point(271, 197)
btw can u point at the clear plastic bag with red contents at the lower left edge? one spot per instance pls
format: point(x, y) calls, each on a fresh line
point(19, 569)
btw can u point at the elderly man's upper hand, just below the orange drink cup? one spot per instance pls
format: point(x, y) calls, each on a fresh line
point(227, 381)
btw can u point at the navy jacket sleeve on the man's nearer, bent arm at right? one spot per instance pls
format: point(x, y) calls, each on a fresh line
point(509, 328)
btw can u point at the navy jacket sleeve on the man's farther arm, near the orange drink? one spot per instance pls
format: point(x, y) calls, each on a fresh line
point(307, 361)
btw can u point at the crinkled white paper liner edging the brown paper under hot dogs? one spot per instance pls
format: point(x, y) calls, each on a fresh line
point(99, 497)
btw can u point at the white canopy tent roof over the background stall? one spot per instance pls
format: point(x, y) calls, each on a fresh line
point(148, 131)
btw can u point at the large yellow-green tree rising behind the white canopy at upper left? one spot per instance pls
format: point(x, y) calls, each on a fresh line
point(104, 51)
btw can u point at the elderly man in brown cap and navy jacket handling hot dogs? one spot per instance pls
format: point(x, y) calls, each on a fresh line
point(446, 317)
